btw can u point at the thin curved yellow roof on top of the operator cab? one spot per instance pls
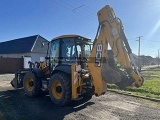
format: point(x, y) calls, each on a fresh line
point(71, 36)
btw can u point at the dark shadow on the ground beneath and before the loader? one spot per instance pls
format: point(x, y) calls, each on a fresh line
point(15, 105)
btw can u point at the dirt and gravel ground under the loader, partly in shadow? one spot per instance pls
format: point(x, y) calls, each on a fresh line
point(15, 105)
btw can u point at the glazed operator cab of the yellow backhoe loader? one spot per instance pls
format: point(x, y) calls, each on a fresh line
point(69, 49)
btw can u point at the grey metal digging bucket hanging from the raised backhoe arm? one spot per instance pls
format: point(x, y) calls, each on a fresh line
point(113, 75)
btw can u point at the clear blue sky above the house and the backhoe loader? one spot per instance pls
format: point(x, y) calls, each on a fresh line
point(51, 18)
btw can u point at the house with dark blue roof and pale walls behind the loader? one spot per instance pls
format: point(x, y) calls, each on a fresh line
point(34, 47)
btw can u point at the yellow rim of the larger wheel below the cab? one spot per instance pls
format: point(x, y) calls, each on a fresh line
point(57, 89)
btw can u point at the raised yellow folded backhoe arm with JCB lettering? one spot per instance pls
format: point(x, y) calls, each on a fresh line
point(111, 32)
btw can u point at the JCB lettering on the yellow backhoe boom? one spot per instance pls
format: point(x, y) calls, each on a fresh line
point(98, 54)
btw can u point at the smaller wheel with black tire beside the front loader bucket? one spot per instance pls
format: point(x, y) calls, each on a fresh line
point(32, 85)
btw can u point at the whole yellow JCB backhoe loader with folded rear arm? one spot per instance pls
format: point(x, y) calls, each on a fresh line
point(77, 69)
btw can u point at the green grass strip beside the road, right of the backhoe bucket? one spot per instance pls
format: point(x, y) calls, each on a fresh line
point(150, 88)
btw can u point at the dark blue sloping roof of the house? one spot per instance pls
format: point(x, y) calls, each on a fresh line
point(21, 45)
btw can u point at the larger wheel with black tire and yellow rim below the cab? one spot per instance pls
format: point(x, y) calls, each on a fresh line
point(60, 89)
